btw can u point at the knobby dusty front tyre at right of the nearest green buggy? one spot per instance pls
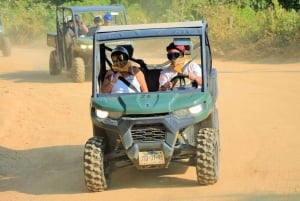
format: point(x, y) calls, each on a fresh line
point(207, 156)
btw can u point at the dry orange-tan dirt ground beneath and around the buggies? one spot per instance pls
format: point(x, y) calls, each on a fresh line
point(44, 124)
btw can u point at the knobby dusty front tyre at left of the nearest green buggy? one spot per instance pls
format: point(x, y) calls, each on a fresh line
point(95, 167)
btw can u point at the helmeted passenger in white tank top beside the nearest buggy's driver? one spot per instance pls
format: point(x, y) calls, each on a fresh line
point(121, 67)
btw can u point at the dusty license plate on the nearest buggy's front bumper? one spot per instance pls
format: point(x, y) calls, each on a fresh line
point(151, 158)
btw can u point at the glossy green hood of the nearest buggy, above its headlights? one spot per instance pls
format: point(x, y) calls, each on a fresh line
point(150, 103)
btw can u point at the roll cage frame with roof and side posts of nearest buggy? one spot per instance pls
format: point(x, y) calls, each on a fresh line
point(126, 32)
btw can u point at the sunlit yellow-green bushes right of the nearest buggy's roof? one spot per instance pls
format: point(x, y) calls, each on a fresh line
point(268, 29)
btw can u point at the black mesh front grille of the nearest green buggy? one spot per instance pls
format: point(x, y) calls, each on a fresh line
point(148, 133)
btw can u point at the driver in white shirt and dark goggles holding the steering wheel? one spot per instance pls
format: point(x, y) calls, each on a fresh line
point(178, 64)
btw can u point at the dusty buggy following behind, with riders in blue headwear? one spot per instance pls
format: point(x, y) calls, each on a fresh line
point(73, 51)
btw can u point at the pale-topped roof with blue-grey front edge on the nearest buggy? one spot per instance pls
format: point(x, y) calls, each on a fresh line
point(193, 28)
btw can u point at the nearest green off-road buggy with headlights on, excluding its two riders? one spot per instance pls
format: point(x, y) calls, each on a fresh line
point(151, 130)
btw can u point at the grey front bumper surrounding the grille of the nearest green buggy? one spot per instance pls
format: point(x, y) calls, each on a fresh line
point(147, 134)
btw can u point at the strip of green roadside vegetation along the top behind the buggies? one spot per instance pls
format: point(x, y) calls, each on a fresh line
point(255, 28)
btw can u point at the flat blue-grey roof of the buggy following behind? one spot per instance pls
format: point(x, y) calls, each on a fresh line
point(78, 9)
